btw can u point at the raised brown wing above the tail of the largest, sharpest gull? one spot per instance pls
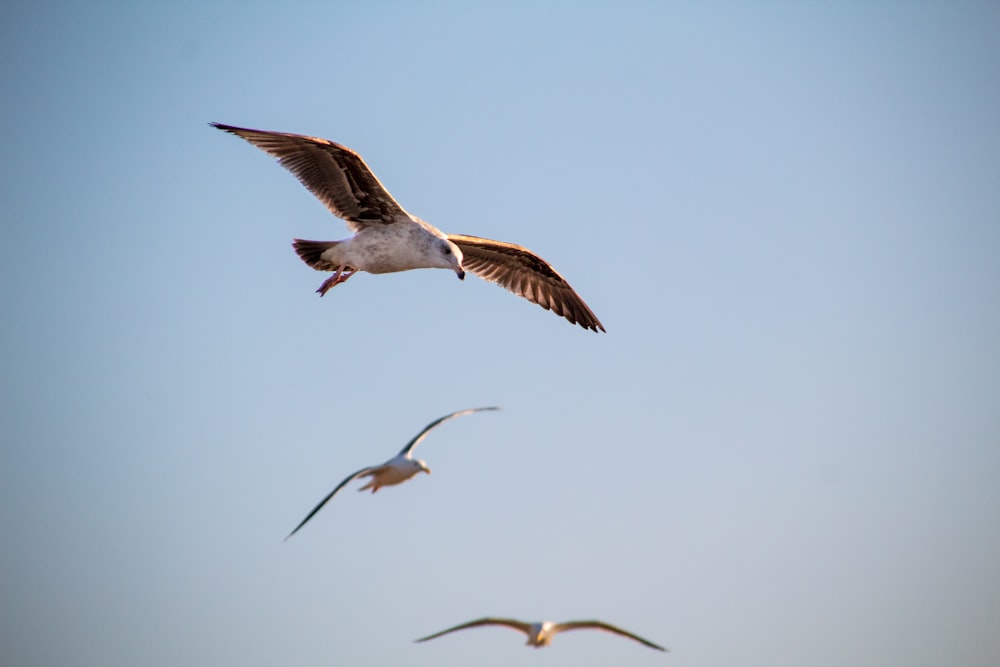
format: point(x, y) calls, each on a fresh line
point(335, 174)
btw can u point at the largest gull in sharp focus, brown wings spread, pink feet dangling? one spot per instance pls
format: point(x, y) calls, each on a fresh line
point(387, 238)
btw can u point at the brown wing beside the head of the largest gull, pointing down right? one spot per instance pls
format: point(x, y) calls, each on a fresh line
point(525, 274)
